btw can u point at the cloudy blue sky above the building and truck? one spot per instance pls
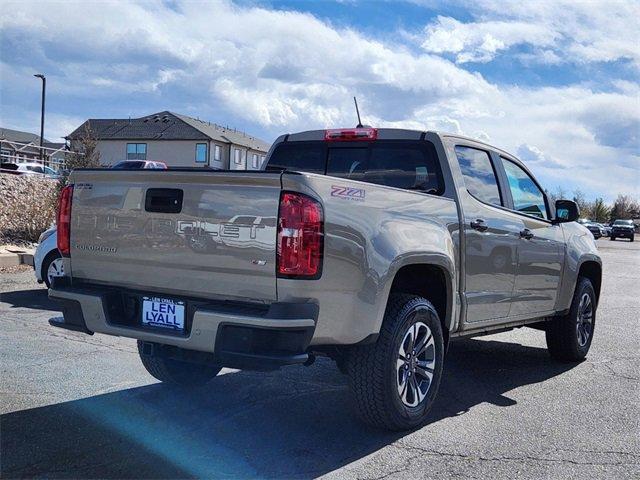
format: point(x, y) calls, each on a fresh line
point(555, 83)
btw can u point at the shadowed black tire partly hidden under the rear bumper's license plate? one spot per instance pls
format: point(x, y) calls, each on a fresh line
point(176, 372)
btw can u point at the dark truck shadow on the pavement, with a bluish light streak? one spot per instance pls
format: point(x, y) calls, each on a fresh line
point(296, 422)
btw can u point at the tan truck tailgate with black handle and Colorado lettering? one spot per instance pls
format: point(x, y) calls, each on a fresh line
point(202, 234)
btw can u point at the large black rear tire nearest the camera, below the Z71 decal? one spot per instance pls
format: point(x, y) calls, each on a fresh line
point(374, 374)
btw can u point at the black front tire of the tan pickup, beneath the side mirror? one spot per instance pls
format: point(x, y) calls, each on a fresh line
point(564, 340)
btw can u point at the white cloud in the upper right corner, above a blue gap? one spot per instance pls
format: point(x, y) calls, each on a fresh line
point(557, 30)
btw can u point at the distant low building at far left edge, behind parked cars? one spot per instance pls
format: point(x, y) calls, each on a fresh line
point(17, 146)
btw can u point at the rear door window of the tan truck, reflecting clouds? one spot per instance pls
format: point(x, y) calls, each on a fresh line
point(478, 173)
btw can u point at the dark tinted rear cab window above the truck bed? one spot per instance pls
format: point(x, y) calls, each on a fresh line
point(406, 164)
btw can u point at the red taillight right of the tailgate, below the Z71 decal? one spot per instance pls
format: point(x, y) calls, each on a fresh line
point(300, 236)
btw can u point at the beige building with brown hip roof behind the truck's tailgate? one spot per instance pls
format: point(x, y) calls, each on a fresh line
point(177, 140)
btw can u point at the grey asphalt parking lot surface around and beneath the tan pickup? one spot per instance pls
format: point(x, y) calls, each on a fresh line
point(75, 406)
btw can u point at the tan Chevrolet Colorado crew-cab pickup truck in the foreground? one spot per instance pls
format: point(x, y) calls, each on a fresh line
point(374, 247)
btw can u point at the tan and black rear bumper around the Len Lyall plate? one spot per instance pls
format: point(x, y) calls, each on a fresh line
point(238, 336)
